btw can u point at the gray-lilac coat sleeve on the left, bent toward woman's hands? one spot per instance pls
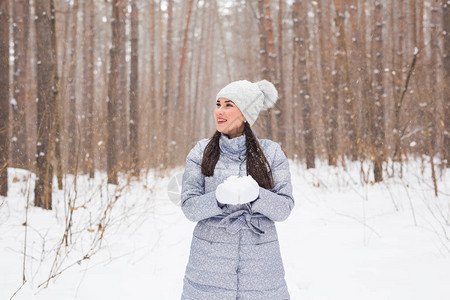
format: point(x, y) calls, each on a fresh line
point(195, 203)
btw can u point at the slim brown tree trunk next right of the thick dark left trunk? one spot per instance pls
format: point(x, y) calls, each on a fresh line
point(73, 129)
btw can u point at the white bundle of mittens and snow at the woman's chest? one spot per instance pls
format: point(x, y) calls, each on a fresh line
point(237, 190)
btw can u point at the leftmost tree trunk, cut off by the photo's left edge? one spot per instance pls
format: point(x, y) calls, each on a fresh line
point(4, 96)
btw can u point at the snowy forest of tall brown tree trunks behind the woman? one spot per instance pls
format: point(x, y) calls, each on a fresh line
point(125, 86)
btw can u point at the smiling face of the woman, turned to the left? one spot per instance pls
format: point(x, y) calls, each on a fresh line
point(228, 117)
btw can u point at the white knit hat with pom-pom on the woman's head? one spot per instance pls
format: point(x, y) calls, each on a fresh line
point(250, 97)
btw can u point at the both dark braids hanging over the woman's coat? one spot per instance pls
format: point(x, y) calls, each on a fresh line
point(257, 165)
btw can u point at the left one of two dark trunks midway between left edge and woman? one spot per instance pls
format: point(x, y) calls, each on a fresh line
point(113, 93)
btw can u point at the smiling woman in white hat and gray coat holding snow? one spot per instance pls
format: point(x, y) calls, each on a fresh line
point(234, 251)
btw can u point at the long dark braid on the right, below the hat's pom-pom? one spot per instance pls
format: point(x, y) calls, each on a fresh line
point(257, 165)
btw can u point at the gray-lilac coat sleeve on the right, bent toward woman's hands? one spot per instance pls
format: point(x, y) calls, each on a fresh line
point(276, 203)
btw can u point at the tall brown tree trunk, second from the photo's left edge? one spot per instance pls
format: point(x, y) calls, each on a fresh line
point(19, 149)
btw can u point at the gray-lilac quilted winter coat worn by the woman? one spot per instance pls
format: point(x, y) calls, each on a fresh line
point(234, 251)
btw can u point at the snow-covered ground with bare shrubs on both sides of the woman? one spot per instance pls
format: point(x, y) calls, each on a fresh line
point(343, 240)
